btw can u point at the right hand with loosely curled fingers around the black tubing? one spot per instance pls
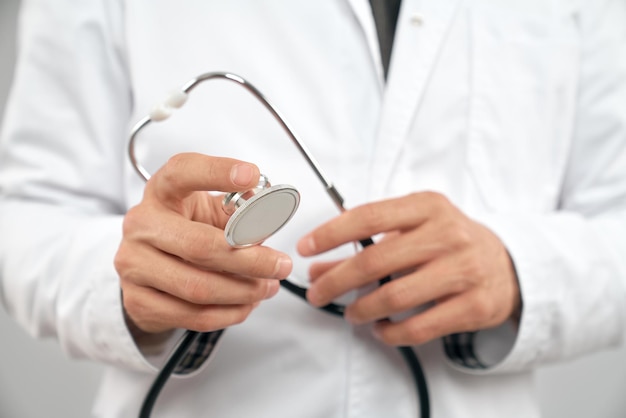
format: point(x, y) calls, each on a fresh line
point(456, 263)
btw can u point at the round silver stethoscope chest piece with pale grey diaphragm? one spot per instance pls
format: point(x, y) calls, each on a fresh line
point(257, 214)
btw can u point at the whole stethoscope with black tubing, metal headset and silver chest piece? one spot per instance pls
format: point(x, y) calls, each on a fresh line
point(255, 215)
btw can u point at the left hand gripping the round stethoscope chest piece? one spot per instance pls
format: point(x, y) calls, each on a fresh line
point(176, 269)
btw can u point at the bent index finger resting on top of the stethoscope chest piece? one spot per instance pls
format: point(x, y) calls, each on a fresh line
point(186, 173)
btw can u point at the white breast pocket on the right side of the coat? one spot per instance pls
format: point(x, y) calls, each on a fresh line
point(523, 77)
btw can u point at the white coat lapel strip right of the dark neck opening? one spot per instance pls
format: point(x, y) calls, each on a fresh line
point(421, 32)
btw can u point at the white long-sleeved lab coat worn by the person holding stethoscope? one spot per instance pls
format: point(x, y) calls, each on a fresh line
point(514, 110)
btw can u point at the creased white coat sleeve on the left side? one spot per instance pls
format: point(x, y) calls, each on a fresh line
point(61, 160)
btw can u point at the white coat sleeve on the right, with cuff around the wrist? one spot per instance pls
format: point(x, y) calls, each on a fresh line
point(571, 264)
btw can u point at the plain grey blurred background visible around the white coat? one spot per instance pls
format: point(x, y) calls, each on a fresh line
point(38, 380)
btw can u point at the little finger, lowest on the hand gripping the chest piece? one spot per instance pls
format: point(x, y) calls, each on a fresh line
point(154, 312)
